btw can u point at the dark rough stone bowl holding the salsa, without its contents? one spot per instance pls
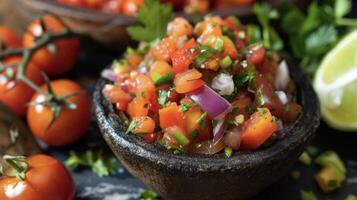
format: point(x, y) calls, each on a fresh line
point(210, 176)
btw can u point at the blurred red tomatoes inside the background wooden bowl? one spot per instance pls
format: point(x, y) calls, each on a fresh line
point(130, 7)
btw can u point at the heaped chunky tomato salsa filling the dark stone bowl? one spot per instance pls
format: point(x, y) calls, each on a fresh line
point(204, 88)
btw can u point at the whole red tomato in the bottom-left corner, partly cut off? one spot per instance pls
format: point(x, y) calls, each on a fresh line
point(46, 178)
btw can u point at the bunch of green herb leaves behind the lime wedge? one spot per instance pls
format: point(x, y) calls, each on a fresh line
point(313, 34)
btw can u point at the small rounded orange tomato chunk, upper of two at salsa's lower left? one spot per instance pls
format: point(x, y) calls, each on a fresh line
point(138, 107)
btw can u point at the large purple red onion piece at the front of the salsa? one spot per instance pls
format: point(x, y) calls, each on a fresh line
point(211, 102)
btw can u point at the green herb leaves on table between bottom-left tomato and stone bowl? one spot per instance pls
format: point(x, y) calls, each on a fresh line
point(100, 165)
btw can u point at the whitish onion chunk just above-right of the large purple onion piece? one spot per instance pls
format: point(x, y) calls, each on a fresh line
point(223, 83)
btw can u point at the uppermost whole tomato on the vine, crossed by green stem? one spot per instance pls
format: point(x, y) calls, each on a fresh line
point(65, 51)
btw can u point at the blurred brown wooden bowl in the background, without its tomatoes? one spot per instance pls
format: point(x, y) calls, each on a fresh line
point(107, 29)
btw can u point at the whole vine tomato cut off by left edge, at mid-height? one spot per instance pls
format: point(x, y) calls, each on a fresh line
point(14, 94)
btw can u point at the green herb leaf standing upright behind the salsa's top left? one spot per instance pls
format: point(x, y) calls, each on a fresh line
point(154, 18)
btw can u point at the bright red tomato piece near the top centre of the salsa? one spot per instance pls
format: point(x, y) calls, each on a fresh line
point(183, 57)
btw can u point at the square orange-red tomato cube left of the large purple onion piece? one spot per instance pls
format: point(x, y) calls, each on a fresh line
point(171, 116)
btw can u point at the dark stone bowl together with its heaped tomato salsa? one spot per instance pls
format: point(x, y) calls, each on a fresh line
point(196, 167)
